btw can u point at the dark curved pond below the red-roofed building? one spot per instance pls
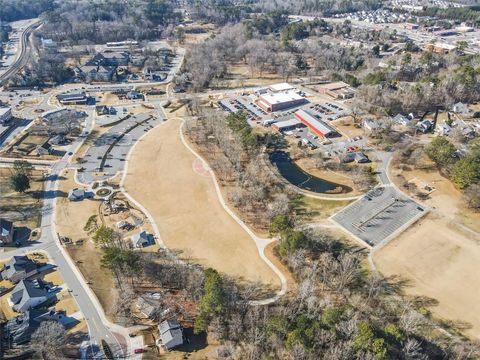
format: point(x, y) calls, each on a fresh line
point(296, 176)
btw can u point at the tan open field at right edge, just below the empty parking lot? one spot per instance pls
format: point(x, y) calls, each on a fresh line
point(440, 262)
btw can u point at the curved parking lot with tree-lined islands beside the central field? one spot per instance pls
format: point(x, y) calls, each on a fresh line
point(116, 156)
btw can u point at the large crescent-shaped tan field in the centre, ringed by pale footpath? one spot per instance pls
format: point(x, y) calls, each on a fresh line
point(185, 206)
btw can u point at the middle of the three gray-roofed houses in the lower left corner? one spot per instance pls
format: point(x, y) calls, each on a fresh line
point(28, 294)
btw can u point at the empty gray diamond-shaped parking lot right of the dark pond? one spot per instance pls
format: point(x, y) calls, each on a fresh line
point(381, 214)
